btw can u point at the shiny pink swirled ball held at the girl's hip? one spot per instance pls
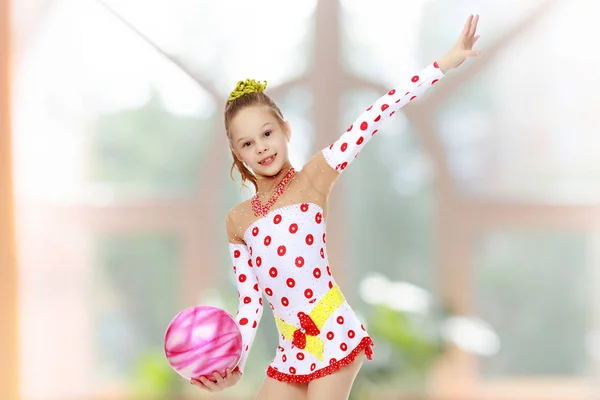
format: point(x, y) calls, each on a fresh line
point(201, 340)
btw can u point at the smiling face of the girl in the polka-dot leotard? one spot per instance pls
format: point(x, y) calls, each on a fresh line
point(258, 140)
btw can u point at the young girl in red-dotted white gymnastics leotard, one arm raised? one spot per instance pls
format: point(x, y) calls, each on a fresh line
point(277, 239)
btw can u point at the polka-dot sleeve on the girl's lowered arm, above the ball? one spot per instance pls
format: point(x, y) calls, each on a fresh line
point(250, 307)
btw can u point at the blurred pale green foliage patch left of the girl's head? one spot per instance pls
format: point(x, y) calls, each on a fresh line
point(148, 149)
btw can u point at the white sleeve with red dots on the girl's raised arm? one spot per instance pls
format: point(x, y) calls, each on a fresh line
point(347, 147)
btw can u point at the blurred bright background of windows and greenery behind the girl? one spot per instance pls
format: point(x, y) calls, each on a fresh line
point(473, 248)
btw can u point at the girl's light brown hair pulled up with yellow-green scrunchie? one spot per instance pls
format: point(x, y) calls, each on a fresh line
point(246, 94)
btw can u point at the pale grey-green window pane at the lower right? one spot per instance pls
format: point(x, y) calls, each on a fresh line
point(533, 288)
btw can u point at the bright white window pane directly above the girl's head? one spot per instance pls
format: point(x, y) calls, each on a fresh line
point(229, 41)
